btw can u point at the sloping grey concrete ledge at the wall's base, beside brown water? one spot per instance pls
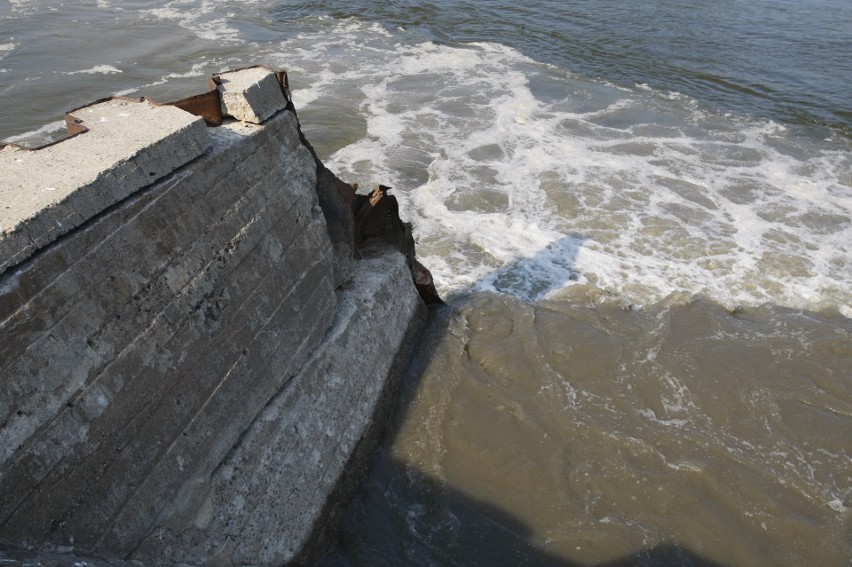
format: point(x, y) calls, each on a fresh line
point(260, 505)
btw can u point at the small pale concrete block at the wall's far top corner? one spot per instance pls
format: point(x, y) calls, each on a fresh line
point(251, 95)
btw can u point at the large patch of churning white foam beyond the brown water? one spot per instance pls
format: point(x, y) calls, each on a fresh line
point(523, 179)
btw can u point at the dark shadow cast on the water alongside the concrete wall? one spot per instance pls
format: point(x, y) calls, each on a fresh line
point(403, 516)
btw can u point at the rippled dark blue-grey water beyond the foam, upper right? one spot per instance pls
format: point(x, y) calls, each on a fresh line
point(781, 59)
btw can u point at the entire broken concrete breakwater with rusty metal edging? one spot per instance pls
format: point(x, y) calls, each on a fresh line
point(200, 325)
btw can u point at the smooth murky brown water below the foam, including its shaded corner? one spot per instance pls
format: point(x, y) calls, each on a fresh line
point(586, 433)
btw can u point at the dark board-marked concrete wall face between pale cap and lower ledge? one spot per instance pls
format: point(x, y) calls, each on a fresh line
point(142, 346)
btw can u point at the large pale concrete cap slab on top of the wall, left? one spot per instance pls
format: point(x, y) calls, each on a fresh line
point(129, 145)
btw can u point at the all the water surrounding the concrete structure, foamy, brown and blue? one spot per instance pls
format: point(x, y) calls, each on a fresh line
point(661, 193)
